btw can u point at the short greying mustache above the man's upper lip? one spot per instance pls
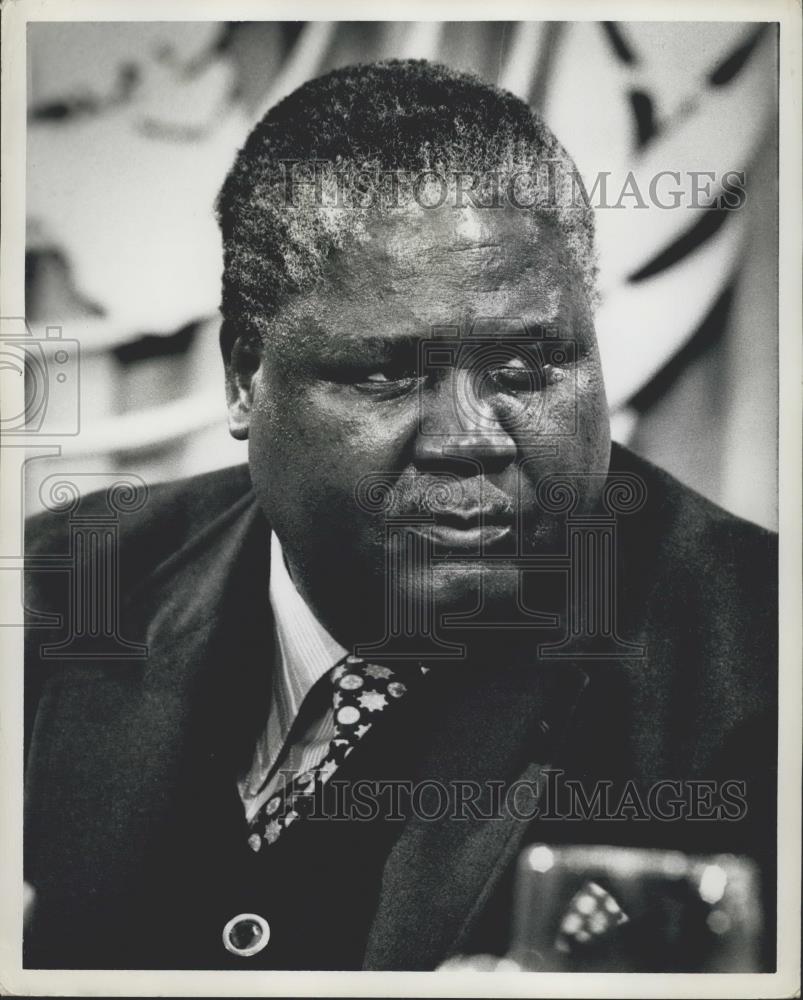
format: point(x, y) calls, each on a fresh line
point(411, 493)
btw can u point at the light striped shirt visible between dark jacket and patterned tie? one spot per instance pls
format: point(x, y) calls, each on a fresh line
point(299, 729)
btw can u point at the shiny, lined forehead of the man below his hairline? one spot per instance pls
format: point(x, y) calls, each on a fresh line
point(444, 266)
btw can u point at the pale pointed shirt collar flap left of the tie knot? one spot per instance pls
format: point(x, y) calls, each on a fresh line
point(306, 650)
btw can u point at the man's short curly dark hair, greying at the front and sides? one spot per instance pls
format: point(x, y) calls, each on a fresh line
point(401, 118)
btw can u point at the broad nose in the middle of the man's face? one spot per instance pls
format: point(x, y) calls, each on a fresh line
point(459, 419)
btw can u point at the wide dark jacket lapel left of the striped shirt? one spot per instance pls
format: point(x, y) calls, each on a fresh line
point(125, 742)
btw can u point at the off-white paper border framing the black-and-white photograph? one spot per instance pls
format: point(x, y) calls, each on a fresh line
point(786, 980)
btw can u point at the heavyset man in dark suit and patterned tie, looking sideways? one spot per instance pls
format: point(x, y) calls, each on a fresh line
point(435, 582)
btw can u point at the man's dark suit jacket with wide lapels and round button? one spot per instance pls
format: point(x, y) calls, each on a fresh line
point(134, 835)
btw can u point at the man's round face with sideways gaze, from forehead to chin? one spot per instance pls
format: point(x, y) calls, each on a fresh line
point(447, 348)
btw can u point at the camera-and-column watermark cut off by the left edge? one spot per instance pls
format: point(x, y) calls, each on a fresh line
point(41, 405)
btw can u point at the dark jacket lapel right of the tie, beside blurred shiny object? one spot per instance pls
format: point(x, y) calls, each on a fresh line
point(487, 730)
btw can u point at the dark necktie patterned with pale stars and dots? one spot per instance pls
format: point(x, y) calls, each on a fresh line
point(362, 692)
